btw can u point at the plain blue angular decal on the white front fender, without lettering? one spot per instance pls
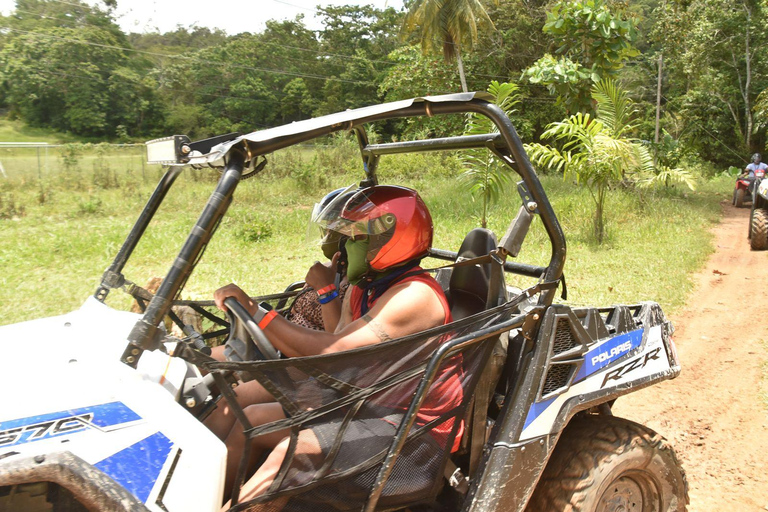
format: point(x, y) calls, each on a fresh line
point(137, 467)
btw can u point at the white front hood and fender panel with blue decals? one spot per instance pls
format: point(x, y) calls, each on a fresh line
point(76, 396)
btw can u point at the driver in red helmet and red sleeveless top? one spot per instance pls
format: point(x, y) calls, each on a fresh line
point(389, 230)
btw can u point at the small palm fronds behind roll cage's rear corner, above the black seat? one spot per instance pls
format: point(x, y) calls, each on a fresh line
point(486, 176)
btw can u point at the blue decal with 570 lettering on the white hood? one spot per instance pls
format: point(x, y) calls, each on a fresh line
point(45, 426)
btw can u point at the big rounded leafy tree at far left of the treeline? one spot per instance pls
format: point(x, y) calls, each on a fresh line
point(61, 67)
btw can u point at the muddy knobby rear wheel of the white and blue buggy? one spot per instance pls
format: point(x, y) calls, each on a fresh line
point(604, 463)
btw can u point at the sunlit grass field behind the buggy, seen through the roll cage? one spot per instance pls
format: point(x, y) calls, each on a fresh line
point(58, 234)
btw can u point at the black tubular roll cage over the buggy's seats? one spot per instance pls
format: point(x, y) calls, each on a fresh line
point(241, 152)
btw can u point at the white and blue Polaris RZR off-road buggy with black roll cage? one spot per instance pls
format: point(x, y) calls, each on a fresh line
point(92, 421)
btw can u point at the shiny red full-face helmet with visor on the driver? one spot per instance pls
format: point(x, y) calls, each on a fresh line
point(396, 221)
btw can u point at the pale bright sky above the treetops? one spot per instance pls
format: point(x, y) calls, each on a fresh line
point(232, 16)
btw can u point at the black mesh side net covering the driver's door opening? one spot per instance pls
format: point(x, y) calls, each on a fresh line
point(346, 408)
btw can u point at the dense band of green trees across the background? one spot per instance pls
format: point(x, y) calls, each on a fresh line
point(68, 65)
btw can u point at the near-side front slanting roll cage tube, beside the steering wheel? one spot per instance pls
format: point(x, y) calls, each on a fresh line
point(142, 336)
